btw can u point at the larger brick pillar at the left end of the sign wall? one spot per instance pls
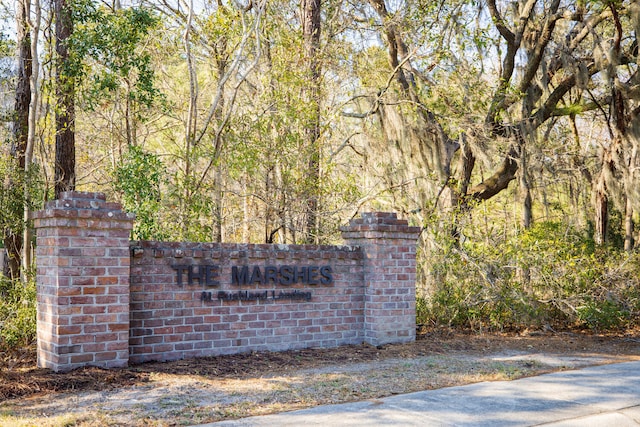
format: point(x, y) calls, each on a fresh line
point(82, 260)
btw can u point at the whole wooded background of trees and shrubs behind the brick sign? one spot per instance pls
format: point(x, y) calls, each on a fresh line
point(508, 130)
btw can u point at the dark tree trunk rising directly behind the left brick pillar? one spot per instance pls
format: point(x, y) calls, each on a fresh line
point(65, 162)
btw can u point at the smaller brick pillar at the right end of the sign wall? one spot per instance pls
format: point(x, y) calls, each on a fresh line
point(389, 247)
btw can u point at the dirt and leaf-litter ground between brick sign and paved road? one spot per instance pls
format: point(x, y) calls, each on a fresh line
point(217, 388)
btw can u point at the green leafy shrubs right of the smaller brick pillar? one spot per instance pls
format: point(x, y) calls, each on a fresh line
point(549, 275)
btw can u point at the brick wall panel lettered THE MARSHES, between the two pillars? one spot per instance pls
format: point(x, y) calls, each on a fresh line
point(258, 297)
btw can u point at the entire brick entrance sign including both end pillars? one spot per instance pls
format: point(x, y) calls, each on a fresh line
point(106, 301)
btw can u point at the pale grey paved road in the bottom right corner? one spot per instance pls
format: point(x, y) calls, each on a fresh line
point(600, 396)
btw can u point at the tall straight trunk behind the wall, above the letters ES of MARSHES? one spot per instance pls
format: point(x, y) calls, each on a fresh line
point(311, 33)
